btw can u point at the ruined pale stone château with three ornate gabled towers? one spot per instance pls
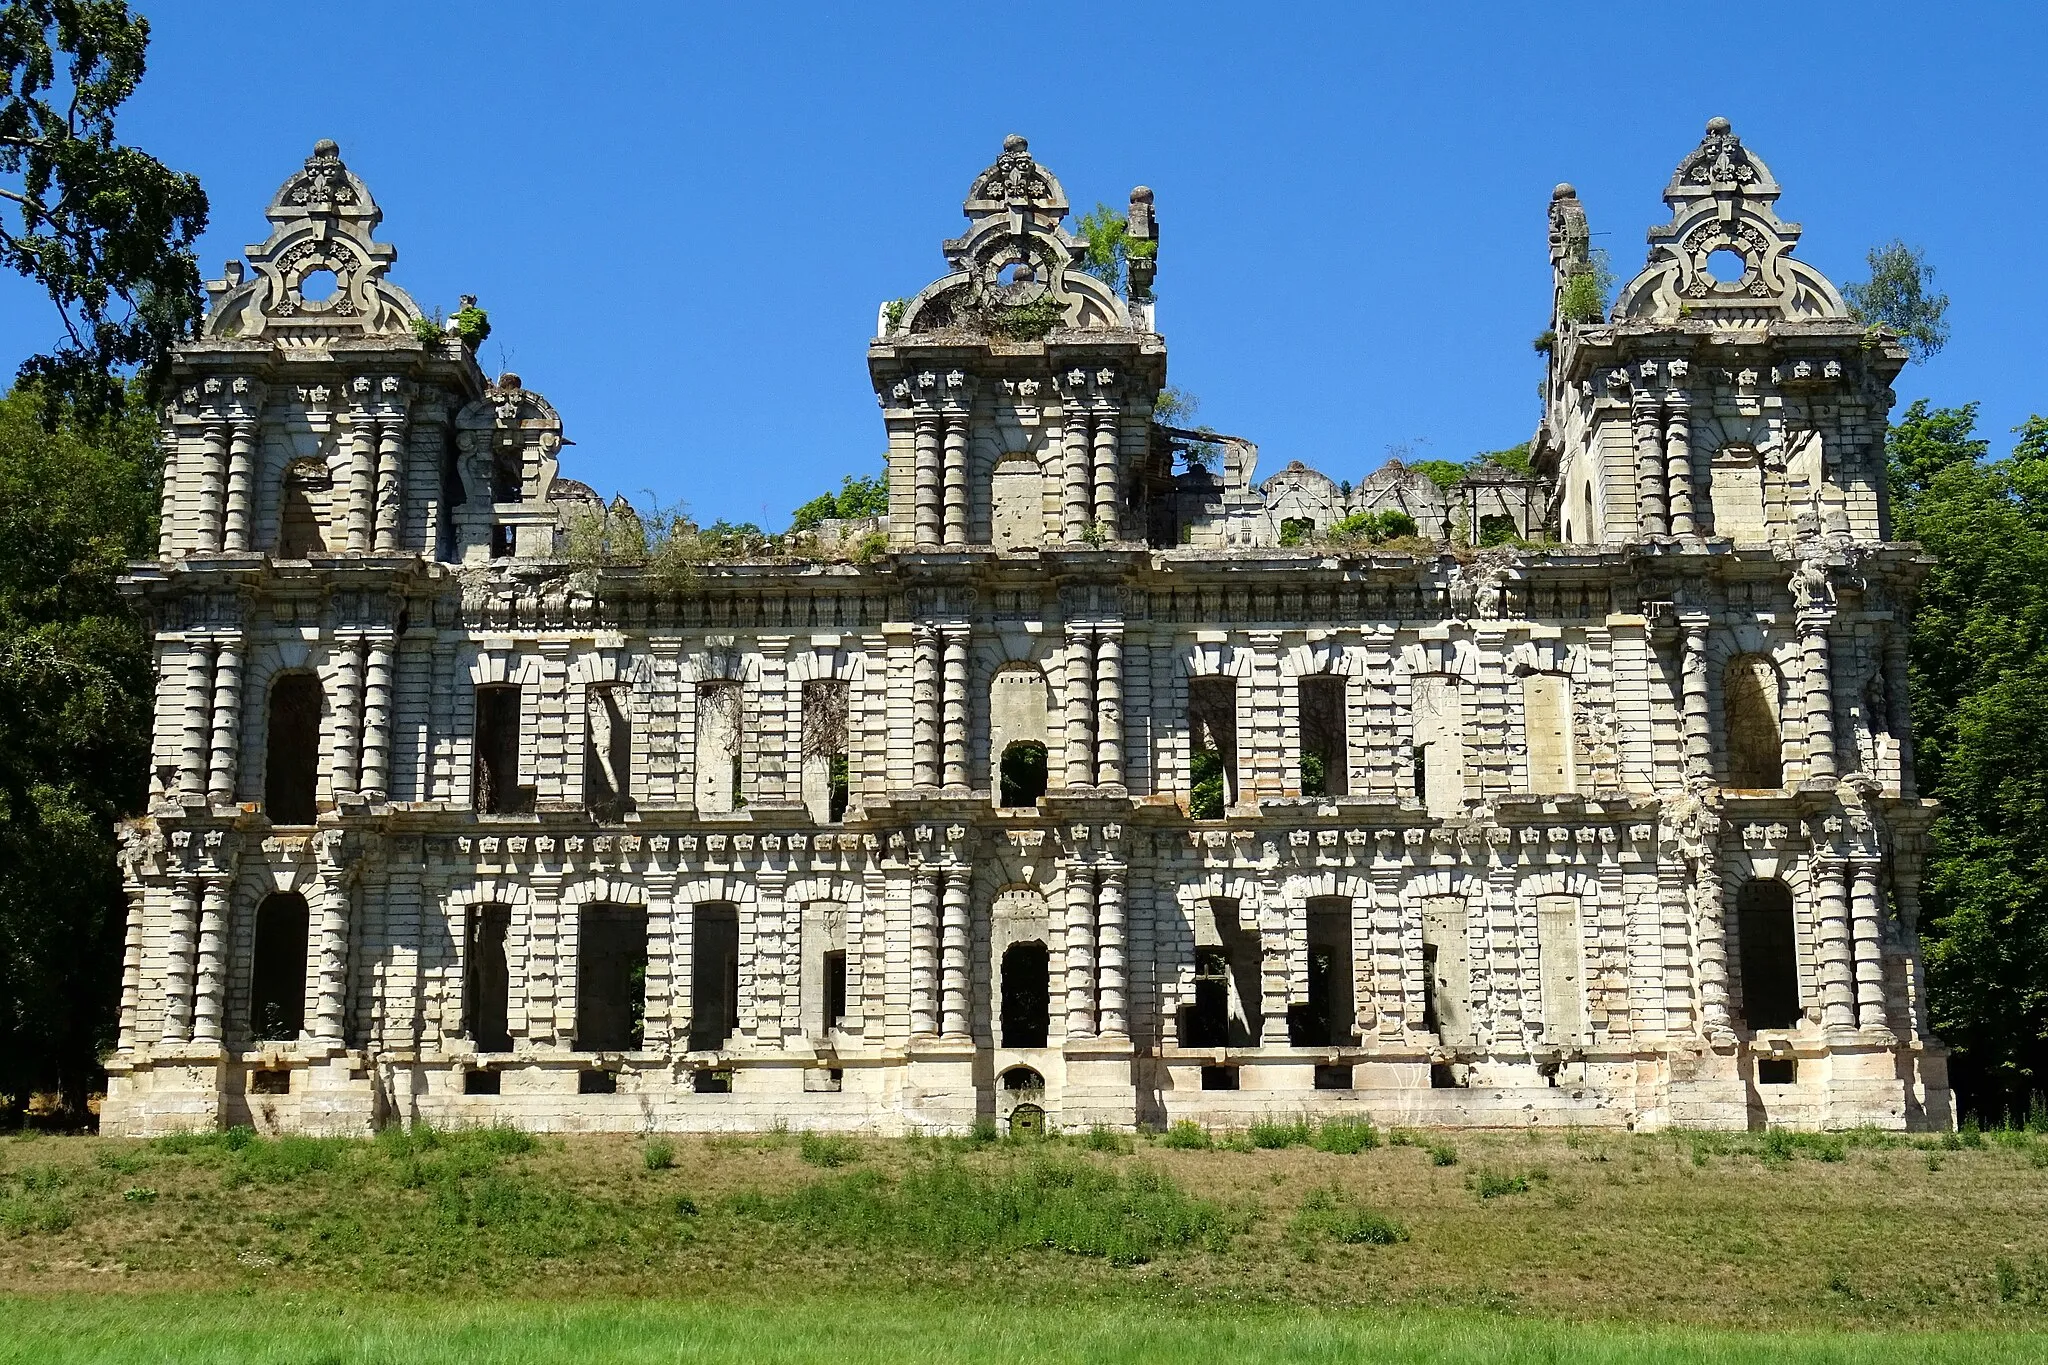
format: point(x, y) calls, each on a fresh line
point(1121, 789)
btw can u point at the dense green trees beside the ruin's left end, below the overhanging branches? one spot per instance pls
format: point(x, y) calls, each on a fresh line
point(75, 730)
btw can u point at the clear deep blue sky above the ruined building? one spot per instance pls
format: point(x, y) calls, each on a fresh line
point(683, 218)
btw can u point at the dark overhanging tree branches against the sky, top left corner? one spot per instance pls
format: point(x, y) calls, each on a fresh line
point(105, 230)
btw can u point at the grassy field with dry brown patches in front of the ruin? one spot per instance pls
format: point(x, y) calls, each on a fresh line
point(1287, 1243)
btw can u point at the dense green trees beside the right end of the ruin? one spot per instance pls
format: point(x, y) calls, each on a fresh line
point(1979, 685)
